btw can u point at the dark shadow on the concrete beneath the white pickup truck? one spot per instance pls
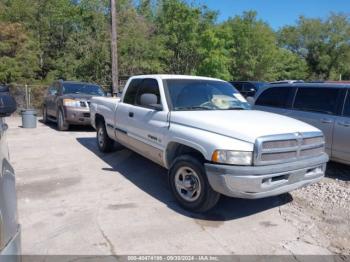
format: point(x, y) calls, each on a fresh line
point(152, 179)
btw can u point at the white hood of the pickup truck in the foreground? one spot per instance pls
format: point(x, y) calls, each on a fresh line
point(246, 125)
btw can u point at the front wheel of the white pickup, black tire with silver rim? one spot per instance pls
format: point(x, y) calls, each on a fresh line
point(189, 184)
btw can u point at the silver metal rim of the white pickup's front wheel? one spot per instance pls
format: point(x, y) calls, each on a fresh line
point(188, 184)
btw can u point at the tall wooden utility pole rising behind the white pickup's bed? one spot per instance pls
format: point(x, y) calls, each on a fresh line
point(115, 77)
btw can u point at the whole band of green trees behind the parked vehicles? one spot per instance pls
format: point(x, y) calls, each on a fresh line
point(42, 40)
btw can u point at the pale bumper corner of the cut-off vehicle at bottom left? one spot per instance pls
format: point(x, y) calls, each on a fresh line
point(12, 250)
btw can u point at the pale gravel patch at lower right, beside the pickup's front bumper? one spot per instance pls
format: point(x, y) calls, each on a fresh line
point(321, 212)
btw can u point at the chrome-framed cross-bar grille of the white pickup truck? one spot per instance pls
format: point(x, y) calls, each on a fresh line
point(288, 147)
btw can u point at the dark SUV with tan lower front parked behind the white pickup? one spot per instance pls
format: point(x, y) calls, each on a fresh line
point(68, 103)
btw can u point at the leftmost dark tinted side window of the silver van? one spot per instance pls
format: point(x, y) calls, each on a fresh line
point(274, 97)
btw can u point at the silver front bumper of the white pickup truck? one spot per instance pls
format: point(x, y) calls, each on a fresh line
point(264, 181)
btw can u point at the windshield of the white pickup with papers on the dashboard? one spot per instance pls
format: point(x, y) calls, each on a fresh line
point(194, 94)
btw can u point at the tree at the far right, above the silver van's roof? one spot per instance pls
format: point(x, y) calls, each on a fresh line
point(324, 44)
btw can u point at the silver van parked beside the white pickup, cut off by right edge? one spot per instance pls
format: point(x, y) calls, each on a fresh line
point(325, 106)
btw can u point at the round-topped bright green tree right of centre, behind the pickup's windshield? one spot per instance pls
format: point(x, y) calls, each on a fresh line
point(253, 48)
